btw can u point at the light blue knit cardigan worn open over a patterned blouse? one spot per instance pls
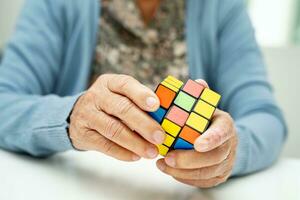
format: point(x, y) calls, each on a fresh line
point(47, 63)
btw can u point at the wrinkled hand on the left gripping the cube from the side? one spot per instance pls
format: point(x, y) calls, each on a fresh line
point(110, 118)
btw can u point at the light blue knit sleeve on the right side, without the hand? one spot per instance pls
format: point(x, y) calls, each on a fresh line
point(247, 95)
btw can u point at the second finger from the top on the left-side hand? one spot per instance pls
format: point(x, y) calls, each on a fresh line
point(136, 119)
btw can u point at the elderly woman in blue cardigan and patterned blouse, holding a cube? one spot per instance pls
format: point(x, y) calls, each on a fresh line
point(61, 86)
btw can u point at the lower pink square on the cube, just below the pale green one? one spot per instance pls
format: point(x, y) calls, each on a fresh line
point(177, 115)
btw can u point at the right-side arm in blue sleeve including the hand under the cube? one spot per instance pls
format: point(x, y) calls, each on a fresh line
point(240, 77)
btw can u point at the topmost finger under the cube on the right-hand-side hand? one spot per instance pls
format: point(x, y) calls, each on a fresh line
point(189, 159)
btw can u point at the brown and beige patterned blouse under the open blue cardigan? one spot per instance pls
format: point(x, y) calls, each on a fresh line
point(148, 53)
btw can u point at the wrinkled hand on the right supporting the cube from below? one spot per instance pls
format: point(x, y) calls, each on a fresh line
point(211, 162)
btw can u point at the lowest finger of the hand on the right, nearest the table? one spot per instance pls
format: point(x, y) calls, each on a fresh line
point(205, 183)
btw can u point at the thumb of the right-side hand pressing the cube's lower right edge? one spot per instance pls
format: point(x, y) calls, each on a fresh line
point(220, 131)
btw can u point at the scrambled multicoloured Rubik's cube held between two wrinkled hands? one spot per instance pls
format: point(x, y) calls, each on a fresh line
point(185, 112)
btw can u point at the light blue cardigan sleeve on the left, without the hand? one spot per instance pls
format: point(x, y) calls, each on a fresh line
point(32, 119)
